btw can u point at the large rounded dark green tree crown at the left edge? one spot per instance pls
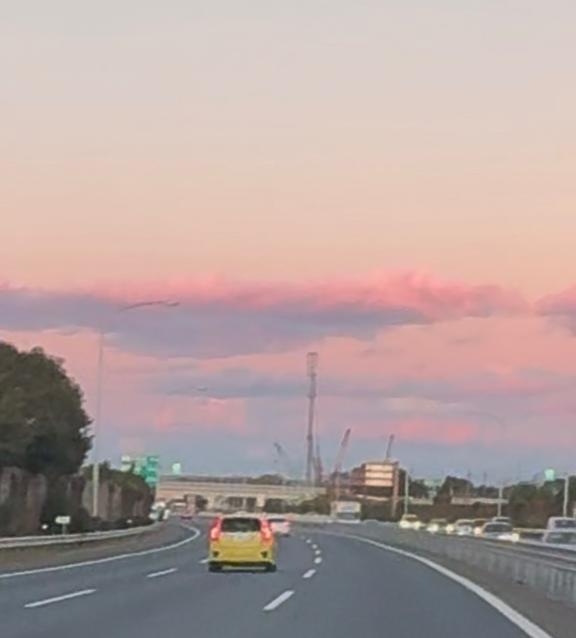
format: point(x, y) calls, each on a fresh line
point(43, 424)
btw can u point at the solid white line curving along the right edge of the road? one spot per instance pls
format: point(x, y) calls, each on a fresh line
point(527, 626)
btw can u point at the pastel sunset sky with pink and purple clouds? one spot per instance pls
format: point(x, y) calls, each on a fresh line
point(387, 183)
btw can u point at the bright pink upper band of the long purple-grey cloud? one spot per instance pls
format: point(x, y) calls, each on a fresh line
point(434, 299)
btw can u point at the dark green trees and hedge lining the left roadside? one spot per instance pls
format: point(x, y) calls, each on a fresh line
point(44, 441)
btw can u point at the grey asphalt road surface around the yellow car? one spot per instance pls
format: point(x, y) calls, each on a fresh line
point(325, 586)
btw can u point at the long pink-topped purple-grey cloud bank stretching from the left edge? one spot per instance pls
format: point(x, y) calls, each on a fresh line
point(218, 319)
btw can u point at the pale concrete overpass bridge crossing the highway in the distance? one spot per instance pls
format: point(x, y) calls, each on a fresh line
point(227, 494)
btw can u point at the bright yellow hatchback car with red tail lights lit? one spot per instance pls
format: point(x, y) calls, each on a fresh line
point(241, 540)
